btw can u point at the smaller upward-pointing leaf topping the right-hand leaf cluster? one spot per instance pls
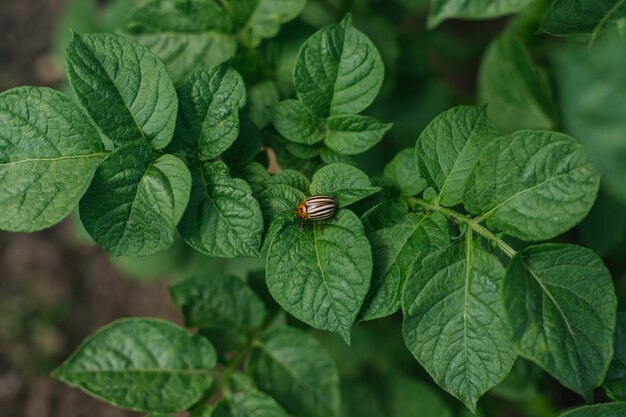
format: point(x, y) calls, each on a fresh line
point(448, 149)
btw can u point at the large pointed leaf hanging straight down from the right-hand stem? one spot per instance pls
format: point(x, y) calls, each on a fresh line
point(454, 320)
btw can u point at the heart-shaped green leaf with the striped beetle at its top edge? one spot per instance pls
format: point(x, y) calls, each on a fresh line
point(332, 276)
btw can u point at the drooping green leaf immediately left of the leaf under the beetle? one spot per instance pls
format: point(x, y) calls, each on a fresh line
point(223, 218)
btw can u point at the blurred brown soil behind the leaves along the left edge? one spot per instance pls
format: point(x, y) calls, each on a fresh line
point(54, 291)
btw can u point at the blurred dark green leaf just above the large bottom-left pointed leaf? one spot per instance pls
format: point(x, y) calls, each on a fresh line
point(218, 302)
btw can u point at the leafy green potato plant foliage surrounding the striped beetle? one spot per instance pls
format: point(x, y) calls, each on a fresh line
point(198, 122)
